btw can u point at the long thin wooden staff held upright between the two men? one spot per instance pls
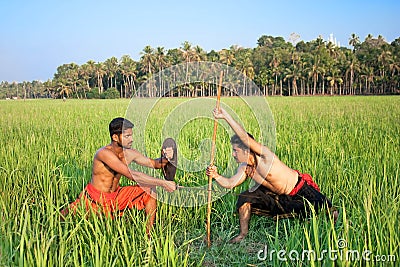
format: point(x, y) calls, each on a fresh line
point(212, 163)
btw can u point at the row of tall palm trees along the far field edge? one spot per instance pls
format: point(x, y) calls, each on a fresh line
point(276, 66)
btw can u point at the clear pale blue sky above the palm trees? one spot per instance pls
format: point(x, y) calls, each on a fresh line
point(37, 36)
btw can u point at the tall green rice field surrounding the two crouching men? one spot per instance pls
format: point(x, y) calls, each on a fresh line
point(350, 145)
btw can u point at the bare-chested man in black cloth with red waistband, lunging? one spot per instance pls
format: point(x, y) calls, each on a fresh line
point(279, 189)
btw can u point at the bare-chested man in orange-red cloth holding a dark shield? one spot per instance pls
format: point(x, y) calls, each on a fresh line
point(104, 194)
